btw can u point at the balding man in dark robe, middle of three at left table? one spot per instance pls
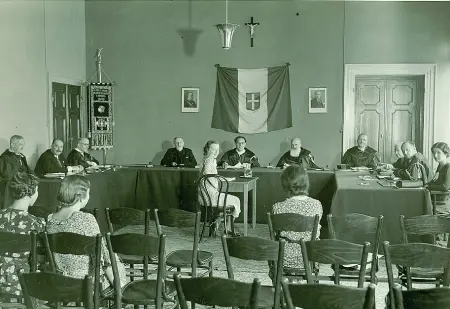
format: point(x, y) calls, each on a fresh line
point(53, 161)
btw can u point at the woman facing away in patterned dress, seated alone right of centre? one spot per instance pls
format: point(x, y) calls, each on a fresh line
point(295, 182)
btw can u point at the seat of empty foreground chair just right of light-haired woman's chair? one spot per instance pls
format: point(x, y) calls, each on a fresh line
point(143, 292)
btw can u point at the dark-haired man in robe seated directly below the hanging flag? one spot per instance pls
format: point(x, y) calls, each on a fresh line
point(239, 155)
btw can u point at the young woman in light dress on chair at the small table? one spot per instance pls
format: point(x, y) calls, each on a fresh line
point(209, 166)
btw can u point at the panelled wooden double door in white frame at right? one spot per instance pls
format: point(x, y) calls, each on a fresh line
point(389, 109)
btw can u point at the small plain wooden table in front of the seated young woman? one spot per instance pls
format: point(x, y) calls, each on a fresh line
point(244, 185)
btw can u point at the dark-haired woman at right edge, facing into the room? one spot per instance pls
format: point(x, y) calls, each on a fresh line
point(441, 180)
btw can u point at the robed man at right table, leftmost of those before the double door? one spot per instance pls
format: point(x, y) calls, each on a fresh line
point(361, 155)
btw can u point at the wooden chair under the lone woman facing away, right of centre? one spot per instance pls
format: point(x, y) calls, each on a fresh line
point(292, 222)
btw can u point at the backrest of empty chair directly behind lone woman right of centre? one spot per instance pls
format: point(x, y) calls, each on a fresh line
point(335, 252)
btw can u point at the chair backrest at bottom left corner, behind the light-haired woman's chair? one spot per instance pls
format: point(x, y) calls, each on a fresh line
point(53, 287)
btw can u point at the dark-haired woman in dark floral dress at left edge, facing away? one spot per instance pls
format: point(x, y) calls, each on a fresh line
point(23, 192)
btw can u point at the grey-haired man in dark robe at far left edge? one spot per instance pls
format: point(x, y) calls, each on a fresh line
point(12, 161)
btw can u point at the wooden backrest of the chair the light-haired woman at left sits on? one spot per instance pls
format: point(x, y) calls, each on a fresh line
point(76, 244)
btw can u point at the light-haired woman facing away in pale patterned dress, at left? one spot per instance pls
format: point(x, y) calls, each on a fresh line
point(74, 195)
